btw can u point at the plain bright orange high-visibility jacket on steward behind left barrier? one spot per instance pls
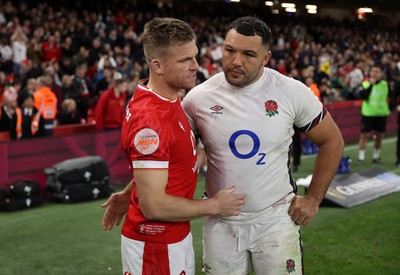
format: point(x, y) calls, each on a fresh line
point(46, 102)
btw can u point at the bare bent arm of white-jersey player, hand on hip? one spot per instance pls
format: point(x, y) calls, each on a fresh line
point(330, 141)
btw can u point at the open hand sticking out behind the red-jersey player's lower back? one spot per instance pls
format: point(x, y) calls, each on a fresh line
point(116, 207)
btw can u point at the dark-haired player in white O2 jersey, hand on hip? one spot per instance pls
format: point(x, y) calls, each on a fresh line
point(244, 117)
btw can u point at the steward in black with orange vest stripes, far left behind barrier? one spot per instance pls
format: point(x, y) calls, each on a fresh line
point(27, 121)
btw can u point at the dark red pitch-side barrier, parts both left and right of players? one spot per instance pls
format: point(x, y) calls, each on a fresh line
point(26, 159)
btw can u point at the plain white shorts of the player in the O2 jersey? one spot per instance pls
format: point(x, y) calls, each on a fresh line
point(270, 245)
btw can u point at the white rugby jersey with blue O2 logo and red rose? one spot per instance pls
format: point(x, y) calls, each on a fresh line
point(247, 133)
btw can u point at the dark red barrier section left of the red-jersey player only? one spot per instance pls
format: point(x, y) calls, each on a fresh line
point(27, 159)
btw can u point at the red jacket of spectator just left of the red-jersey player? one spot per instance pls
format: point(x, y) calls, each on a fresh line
point(110, 110)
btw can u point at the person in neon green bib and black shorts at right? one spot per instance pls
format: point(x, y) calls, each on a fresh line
point(374, 113)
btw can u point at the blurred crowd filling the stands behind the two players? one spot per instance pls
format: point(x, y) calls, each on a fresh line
point(65, 58)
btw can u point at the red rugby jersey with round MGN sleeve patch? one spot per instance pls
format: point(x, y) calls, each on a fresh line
point(156, 135)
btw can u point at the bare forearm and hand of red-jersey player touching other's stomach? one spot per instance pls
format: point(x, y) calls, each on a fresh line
point(156, 204)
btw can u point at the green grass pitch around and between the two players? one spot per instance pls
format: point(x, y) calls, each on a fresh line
point(68, 239)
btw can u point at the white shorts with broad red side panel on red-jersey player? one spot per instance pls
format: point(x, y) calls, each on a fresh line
point(145, 258)
